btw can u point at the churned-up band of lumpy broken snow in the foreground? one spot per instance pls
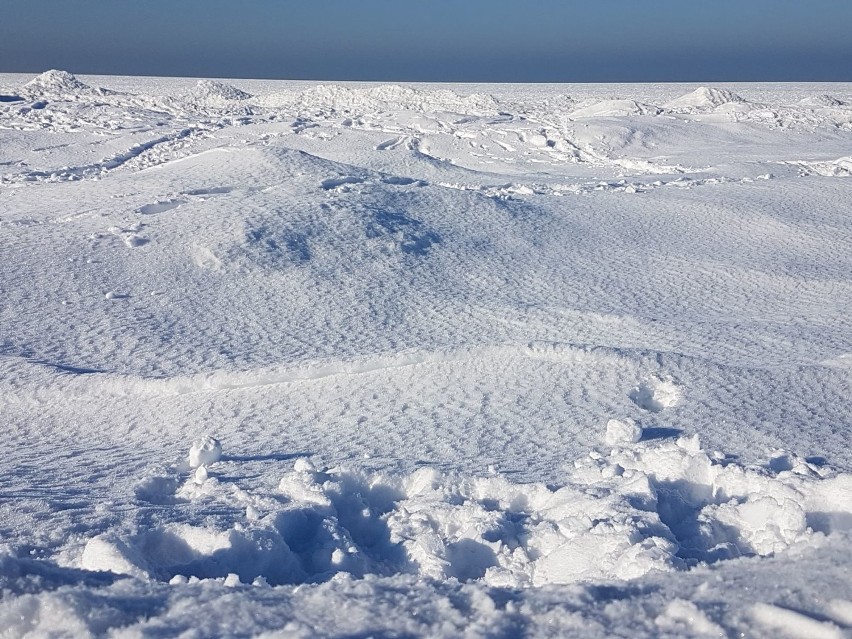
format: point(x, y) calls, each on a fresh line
point(622, 513)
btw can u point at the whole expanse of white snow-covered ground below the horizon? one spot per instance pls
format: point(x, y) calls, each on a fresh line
point(424, 360)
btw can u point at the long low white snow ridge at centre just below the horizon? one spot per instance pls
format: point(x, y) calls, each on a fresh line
point(387, 98)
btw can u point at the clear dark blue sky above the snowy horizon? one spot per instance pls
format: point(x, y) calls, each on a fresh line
point(434, 40)
